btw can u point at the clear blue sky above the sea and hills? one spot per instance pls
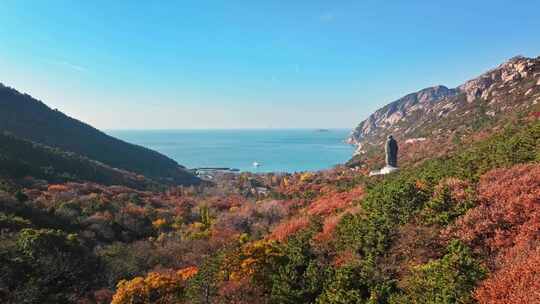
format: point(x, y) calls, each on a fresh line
point(250, 64)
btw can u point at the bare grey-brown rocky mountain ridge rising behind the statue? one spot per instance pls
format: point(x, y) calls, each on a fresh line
point(439, 111)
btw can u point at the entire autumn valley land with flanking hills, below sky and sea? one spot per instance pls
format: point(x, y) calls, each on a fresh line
point(87, 218)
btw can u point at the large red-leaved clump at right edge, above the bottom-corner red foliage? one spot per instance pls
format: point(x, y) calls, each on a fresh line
point(509, 211)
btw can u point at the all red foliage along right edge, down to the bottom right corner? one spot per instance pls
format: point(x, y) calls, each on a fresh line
point(505, 229)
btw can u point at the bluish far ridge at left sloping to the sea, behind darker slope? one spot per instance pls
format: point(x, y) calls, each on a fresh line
point(28, 118)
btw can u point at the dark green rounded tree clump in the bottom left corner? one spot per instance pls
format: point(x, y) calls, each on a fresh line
point(56, 267)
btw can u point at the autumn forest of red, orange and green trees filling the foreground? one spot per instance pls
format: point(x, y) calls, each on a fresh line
point(462, 228)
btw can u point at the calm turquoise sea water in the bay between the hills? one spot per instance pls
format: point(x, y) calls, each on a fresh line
point(274, 150)
